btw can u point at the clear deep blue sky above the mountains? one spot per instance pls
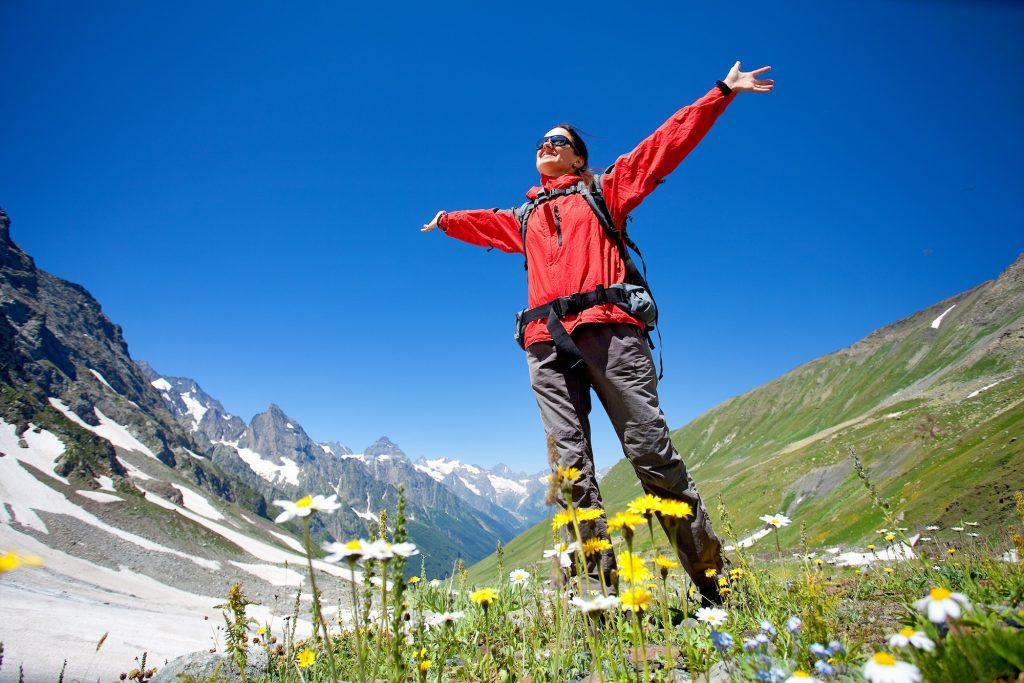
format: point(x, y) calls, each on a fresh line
point(241, 186)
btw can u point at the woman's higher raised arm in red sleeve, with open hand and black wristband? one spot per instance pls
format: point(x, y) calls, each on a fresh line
point(637, 175)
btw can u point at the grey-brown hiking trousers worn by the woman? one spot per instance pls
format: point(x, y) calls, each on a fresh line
point(621, 371)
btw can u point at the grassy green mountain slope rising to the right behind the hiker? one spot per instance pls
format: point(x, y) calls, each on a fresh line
point(936, 414)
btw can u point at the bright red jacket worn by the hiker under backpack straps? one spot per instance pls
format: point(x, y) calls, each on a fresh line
point(574, 254)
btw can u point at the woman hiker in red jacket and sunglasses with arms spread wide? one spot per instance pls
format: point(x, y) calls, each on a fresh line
point(590, 314)
